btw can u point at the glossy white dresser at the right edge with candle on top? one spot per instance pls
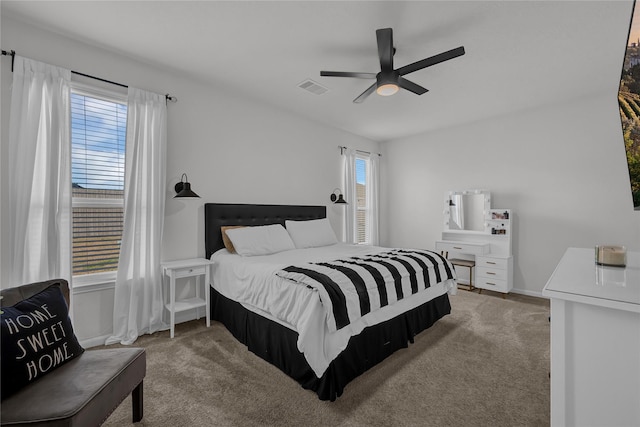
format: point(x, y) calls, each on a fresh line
point(595, 341)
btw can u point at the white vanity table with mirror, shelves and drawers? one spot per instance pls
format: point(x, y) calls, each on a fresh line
point(481, 236)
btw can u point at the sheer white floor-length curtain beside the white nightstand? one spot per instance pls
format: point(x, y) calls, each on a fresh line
point(138, 304)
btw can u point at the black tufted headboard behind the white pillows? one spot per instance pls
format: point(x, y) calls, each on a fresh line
point(218, 214)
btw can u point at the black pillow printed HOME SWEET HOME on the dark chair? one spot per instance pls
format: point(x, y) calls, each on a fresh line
point(37, 337)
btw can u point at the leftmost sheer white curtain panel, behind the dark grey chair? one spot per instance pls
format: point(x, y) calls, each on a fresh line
point(39, 174)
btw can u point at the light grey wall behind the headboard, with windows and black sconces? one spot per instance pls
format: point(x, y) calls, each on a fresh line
point(232, 149)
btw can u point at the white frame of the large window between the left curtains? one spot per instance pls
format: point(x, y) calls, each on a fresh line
point(84, 89)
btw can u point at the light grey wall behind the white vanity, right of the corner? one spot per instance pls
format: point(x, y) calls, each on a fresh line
point(561, 168)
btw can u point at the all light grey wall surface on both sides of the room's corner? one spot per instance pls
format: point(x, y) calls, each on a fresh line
point(561, 168)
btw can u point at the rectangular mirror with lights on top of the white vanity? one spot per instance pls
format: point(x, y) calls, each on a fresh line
point(466, 210)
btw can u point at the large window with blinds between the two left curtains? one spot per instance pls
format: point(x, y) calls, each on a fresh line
point(98, 135)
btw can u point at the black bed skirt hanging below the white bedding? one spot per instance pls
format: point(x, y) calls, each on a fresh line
point(277, 344)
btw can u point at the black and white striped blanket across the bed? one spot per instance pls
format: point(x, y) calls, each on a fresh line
point(352, 287)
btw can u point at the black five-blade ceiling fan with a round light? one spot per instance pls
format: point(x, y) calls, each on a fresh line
point(388, 80)
